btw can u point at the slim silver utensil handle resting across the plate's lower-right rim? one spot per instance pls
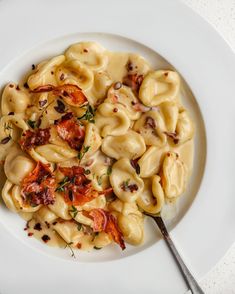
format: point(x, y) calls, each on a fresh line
point(189, 279)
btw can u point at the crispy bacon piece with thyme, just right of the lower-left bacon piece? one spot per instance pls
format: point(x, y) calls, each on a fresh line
point(78, 190)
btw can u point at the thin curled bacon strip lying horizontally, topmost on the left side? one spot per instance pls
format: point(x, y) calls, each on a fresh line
point(69, 92)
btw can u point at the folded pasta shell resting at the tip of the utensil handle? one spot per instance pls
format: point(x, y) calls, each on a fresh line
point(151, 199)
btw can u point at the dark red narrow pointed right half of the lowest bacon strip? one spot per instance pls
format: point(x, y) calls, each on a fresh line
point(113, 230)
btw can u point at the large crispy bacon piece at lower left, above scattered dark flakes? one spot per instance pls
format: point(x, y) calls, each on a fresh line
point(39, 186)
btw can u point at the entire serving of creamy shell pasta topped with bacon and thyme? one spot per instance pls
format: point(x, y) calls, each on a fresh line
point(89, 141)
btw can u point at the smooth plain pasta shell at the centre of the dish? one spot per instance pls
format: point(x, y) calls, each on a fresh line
point(131, 145)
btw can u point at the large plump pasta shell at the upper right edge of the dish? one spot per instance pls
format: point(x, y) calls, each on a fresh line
point(159, 86)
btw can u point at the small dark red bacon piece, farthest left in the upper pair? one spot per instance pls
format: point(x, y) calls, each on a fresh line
point(31, 139)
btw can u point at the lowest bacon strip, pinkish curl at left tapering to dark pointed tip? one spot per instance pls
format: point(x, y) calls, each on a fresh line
point(105, 221)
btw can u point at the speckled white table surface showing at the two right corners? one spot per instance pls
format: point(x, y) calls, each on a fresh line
point(221, 15)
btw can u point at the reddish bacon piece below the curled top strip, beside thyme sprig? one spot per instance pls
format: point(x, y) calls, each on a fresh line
point(70, 131)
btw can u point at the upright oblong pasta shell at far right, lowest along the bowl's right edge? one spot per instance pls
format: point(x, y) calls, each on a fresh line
point(174, 175)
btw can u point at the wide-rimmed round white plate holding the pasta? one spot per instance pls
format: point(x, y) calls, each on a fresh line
point(207, 229)
